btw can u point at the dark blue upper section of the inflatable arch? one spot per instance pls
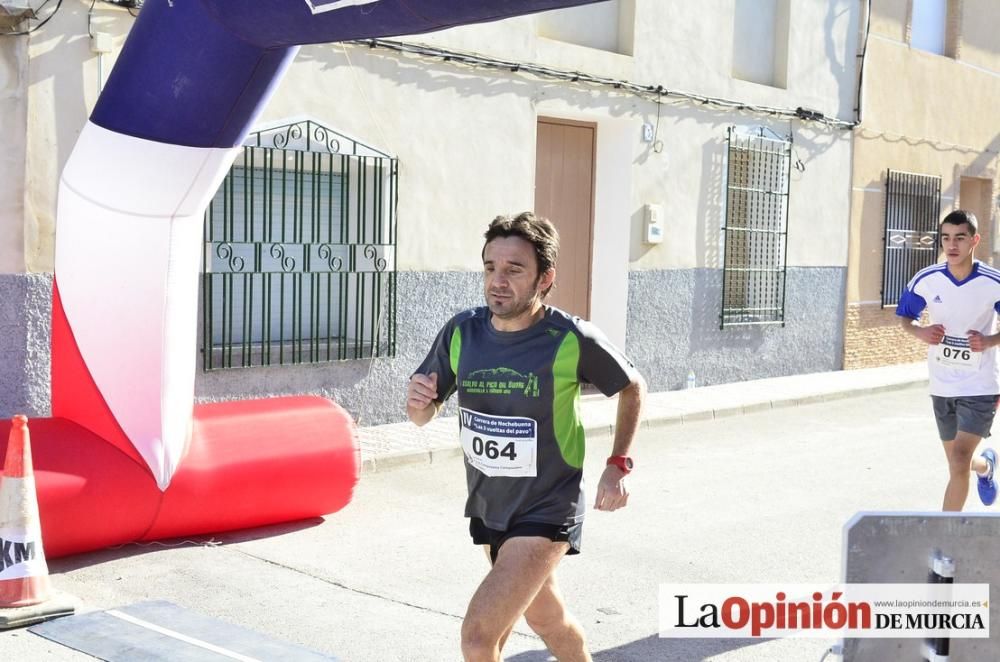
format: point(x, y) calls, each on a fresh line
point(197, 72)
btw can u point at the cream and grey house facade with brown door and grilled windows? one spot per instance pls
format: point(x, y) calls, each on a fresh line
point(697, 158)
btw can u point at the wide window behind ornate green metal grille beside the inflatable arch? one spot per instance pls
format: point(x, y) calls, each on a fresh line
point(299, 252)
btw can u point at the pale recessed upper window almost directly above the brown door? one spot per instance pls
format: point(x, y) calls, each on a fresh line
point(607, 26)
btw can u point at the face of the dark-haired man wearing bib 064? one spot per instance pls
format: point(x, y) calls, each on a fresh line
point(511, 281)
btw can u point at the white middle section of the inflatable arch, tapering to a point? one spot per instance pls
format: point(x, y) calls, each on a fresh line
point(128, 249)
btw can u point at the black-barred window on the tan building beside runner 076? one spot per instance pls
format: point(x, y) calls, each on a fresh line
point(912, 208)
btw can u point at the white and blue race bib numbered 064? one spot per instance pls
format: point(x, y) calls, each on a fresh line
point(500, 445)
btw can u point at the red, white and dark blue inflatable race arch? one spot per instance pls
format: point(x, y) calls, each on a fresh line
point(126, 456)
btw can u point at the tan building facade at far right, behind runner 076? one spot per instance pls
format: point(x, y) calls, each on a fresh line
point(928, 143)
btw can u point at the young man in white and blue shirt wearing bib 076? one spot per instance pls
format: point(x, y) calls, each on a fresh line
point(962, 296)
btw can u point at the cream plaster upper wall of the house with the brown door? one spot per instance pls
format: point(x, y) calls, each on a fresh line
point(465, 139)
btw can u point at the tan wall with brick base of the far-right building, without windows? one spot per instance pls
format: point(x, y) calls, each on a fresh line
point(927, 114)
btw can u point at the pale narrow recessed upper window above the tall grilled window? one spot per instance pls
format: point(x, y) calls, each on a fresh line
point(760, 41)
